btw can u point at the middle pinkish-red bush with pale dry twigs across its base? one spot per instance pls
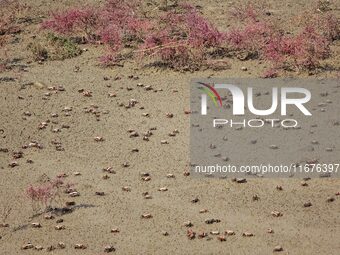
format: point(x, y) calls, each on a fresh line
point(182, 39)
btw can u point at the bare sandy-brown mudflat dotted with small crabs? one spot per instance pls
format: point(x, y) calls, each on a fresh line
point(300, 229)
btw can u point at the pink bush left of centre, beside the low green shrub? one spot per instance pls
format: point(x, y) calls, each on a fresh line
point(116, 24)
